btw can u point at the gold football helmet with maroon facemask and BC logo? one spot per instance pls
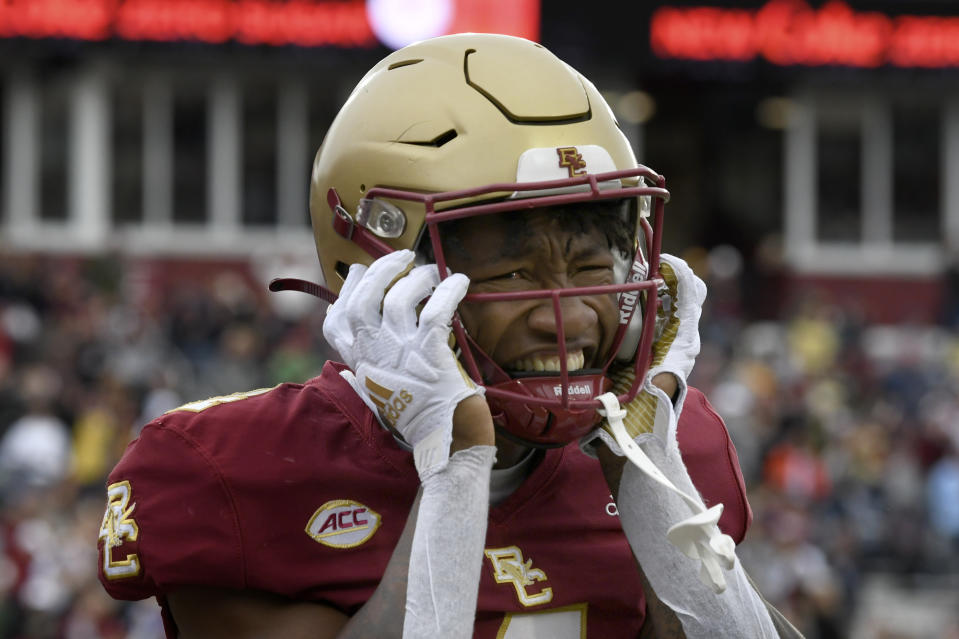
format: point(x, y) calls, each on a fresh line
point(473, 124)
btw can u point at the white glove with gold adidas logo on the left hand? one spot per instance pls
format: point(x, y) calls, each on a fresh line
point(404, 368)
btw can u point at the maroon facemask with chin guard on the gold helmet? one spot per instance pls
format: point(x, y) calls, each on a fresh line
point(537, 409)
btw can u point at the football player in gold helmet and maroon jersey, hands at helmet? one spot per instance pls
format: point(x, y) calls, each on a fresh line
point(509, 448)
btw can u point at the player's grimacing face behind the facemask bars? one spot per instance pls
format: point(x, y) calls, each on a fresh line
point(500, 255)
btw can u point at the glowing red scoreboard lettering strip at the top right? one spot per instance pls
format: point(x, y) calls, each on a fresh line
point(790, 32)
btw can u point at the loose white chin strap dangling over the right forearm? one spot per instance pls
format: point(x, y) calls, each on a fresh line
point(698, 537)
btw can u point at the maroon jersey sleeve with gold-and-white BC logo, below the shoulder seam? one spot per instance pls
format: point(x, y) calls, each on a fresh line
point(169, 520)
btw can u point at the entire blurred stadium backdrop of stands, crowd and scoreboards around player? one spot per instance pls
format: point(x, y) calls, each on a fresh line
point(155, 152)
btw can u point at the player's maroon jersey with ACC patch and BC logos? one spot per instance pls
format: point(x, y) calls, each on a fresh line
point(296, 490)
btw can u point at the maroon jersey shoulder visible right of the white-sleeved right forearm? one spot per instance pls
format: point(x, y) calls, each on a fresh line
point(713, 464)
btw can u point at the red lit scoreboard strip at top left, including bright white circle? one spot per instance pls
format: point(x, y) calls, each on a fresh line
point(308, 23)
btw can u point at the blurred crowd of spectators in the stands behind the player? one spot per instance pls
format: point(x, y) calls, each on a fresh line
point(848, 434)
